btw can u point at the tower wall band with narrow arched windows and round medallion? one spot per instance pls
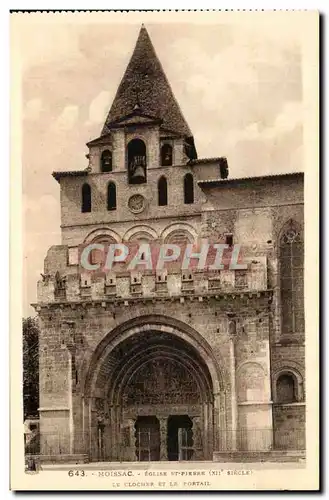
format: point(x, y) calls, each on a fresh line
point(71, 198)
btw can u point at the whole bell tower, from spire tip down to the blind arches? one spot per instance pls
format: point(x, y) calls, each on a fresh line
point(144, 164)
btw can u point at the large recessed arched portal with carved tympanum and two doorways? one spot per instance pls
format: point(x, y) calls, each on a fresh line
point(150, 377)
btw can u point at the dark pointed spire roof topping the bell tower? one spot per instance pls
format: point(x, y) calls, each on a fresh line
point(145, 85)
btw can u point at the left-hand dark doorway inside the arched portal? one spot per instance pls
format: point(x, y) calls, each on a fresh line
point(147, 439)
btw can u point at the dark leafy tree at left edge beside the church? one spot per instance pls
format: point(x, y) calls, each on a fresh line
point(30, 367)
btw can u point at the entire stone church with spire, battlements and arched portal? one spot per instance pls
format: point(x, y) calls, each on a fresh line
point(168, 365)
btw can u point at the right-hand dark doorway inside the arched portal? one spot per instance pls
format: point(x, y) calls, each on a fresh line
point(180, 438)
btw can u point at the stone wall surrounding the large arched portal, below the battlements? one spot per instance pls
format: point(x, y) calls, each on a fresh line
point(92, 324)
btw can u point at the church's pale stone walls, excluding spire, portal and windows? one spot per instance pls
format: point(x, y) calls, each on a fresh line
point(250, 355)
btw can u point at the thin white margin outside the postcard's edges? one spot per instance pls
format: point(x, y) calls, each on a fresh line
point(4, 198)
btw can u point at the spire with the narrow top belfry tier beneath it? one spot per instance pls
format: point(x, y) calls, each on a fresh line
point(145, 127)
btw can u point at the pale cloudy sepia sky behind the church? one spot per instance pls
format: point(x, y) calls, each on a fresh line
point(239, 88)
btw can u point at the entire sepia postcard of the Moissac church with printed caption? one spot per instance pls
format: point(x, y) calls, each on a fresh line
point(164, 246)
